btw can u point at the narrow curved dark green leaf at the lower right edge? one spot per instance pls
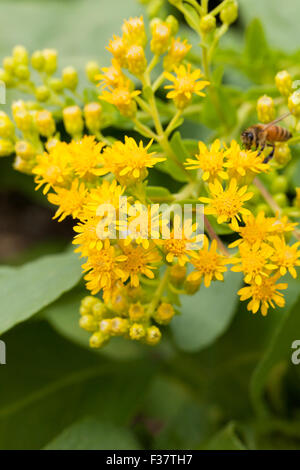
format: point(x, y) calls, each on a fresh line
point(279, 350)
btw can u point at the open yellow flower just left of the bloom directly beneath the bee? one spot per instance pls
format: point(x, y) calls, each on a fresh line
point(210, 161)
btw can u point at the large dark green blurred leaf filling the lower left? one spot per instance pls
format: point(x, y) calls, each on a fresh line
point(48, 383)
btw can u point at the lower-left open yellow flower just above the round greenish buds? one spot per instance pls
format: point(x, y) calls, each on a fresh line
point(104, 269)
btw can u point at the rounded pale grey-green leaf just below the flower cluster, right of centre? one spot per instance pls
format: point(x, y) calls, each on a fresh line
point(207, 314)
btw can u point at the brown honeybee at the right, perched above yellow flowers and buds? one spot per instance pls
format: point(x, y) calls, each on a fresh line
point(260, 135)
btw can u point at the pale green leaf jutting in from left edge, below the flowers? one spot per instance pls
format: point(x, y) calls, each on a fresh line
point(25, 290)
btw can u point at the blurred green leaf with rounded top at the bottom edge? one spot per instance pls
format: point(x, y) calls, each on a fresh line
point(90, 434)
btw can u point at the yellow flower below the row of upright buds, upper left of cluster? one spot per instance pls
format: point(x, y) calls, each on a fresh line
point(86, 156)
